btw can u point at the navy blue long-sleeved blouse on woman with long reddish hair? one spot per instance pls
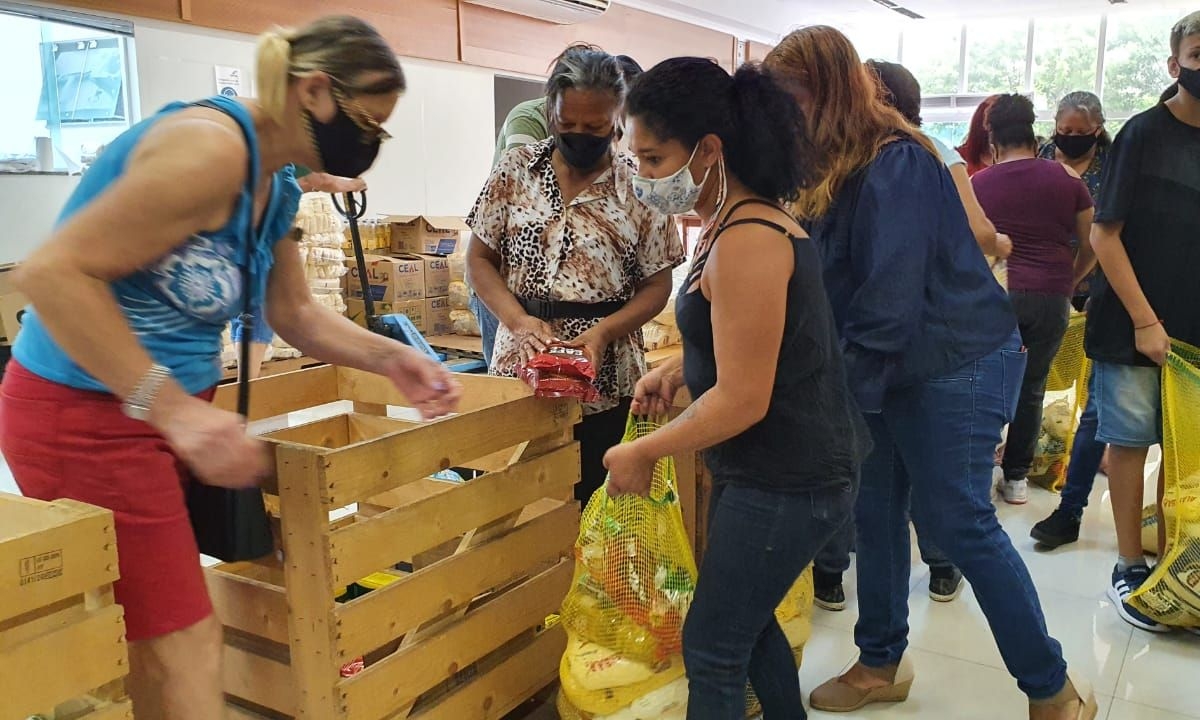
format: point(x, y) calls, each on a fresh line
point(914, 298)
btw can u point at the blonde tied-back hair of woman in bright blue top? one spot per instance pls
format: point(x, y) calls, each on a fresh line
point(346, 49)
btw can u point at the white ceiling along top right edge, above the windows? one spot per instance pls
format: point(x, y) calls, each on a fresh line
point(767, 20)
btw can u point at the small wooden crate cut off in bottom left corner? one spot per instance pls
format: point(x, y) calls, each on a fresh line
point(63, 652)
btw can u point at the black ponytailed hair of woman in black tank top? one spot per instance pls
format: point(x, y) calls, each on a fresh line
point(761, 128)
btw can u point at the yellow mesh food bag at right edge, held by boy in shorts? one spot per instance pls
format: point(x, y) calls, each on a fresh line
point(1172, 596)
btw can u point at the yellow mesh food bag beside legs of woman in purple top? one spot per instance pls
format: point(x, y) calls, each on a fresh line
point(1070, 371)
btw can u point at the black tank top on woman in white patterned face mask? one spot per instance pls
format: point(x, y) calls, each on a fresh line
point(814, 435)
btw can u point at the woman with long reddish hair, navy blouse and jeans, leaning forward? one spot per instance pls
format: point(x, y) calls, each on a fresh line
point(935, 362)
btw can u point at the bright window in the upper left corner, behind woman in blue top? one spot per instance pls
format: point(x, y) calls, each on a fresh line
point(70, 81)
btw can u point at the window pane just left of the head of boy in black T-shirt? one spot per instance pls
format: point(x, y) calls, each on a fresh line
point(1136, 62)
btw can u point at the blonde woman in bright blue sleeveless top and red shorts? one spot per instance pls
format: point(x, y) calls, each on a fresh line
point(106, 399)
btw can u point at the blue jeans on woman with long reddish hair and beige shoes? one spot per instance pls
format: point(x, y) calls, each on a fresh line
point(937, 440)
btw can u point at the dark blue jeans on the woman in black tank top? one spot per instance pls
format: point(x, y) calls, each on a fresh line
point(759, 544)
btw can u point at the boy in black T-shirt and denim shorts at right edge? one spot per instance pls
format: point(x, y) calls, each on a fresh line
point(1148, 242)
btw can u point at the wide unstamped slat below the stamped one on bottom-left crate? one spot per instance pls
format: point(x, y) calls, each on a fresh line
point(98, 645)
